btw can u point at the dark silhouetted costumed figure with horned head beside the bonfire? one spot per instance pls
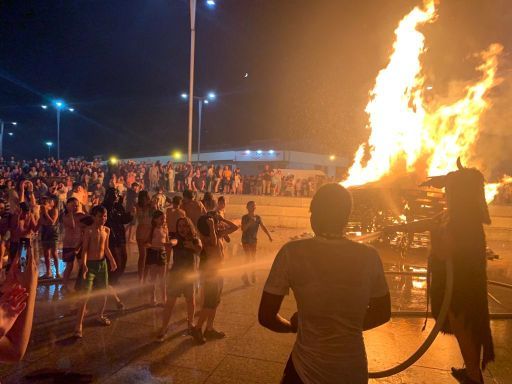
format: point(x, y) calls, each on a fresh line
point(458, 233)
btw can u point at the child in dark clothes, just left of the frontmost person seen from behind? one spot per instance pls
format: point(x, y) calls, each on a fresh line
point(181, 275)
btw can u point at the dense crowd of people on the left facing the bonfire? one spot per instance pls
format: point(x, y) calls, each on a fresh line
point(79, 212)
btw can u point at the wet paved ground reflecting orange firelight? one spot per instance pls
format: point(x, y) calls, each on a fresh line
point(127, 352)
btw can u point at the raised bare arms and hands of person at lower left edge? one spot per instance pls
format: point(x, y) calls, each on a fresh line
point(17, 308)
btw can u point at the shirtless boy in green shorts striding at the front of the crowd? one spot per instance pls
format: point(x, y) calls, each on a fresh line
point(95, 251)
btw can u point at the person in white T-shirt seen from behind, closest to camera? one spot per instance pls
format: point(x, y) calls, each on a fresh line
point(340, 289)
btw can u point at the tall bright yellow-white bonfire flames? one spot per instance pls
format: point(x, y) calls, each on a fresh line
point(407, 134)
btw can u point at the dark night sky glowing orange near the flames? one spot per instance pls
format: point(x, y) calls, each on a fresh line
point(123, 64)
